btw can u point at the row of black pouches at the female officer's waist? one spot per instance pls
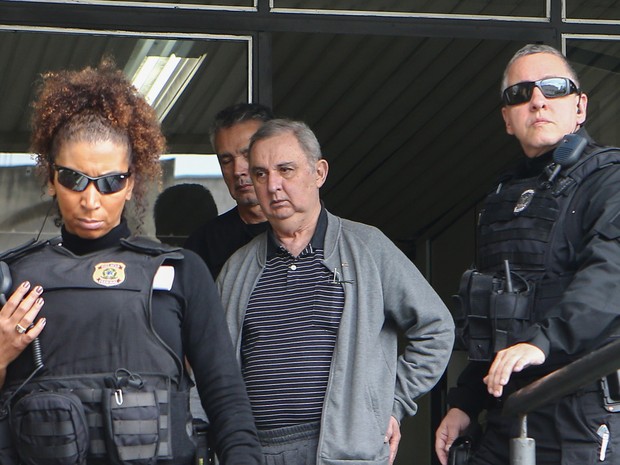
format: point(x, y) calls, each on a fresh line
point(120, 419)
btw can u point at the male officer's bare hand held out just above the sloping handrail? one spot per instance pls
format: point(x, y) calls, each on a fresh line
point(510, 360)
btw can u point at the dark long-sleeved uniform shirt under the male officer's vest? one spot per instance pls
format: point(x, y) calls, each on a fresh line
point(586, 314)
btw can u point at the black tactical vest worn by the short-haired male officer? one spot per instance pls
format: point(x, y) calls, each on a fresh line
point(520, 226)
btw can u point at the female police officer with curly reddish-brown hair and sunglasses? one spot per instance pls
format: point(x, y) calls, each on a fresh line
point(111, 316)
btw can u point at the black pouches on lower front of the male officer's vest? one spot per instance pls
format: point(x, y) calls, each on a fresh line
point(491, 310)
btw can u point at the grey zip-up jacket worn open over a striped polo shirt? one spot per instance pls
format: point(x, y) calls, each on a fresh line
point(385, 295)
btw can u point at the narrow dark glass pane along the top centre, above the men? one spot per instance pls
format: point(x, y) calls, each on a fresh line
point(530, 8)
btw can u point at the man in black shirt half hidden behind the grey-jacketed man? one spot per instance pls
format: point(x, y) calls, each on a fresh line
point(219, 238)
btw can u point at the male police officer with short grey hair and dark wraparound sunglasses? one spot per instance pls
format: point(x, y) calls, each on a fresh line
point(546, 285)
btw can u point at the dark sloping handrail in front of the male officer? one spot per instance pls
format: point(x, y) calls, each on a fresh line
point(565, 380)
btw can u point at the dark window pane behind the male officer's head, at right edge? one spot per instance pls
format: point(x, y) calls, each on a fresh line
point(597, 63)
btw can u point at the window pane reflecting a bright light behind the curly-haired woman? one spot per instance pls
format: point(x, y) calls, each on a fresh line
point(206, 75)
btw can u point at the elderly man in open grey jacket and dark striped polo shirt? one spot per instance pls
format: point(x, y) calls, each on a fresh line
point(315, 307)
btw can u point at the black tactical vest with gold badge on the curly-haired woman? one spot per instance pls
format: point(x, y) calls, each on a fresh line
point(109, 383)
